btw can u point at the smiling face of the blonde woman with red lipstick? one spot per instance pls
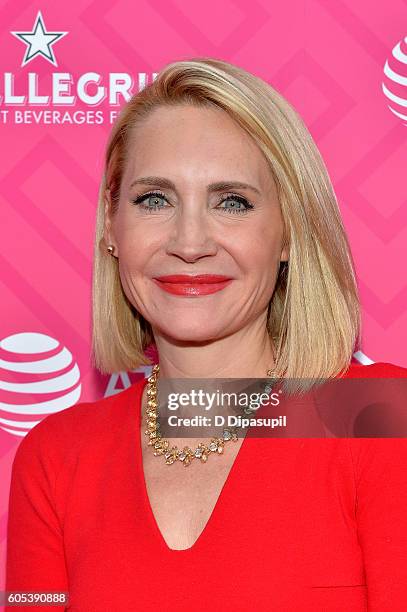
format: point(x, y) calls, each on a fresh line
point(193, 227)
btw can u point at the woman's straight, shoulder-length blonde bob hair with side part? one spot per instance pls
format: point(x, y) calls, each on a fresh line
point(314, 312)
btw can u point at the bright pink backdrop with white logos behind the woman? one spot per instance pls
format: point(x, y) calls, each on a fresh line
point(342, 64)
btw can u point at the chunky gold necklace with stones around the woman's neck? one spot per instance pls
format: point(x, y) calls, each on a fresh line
point(161, 446)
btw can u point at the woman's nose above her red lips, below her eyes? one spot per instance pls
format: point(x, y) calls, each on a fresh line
point(190, 236)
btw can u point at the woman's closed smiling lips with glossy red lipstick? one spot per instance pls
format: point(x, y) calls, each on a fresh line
point(188, 285)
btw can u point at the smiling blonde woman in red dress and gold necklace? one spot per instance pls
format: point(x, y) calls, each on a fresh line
point(209, 171)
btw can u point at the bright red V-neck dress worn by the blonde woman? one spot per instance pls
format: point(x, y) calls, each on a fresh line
point(300, 524)
